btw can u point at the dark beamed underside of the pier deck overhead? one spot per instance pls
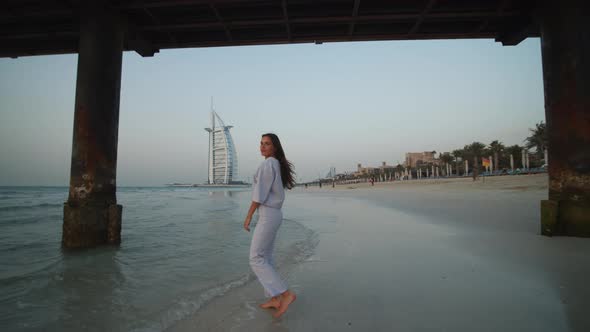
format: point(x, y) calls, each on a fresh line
point(36, 27)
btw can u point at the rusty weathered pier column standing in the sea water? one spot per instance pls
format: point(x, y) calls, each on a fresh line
point(91, 214)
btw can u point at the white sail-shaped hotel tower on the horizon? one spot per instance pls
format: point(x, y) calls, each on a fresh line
point(223, 160)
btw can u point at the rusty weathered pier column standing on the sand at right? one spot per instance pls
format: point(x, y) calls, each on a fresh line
point(565, 46)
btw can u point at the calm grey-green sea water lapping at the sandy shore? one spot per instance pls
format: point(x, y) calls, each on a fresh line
point(181, 248)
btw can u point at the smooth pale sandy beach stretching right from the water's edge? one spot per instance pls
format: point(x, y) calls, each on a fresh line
point(429, 255)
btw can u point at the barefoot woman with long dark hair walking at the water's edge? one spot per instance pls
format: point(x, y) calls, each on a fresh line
point(274, 174)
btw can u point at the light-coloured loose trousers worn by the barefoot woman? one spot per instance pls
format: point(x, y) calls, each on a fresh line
point(261, 259)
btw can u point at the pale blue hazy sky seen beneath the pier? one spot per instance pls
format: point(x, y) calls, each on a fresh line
point(332, 105)
